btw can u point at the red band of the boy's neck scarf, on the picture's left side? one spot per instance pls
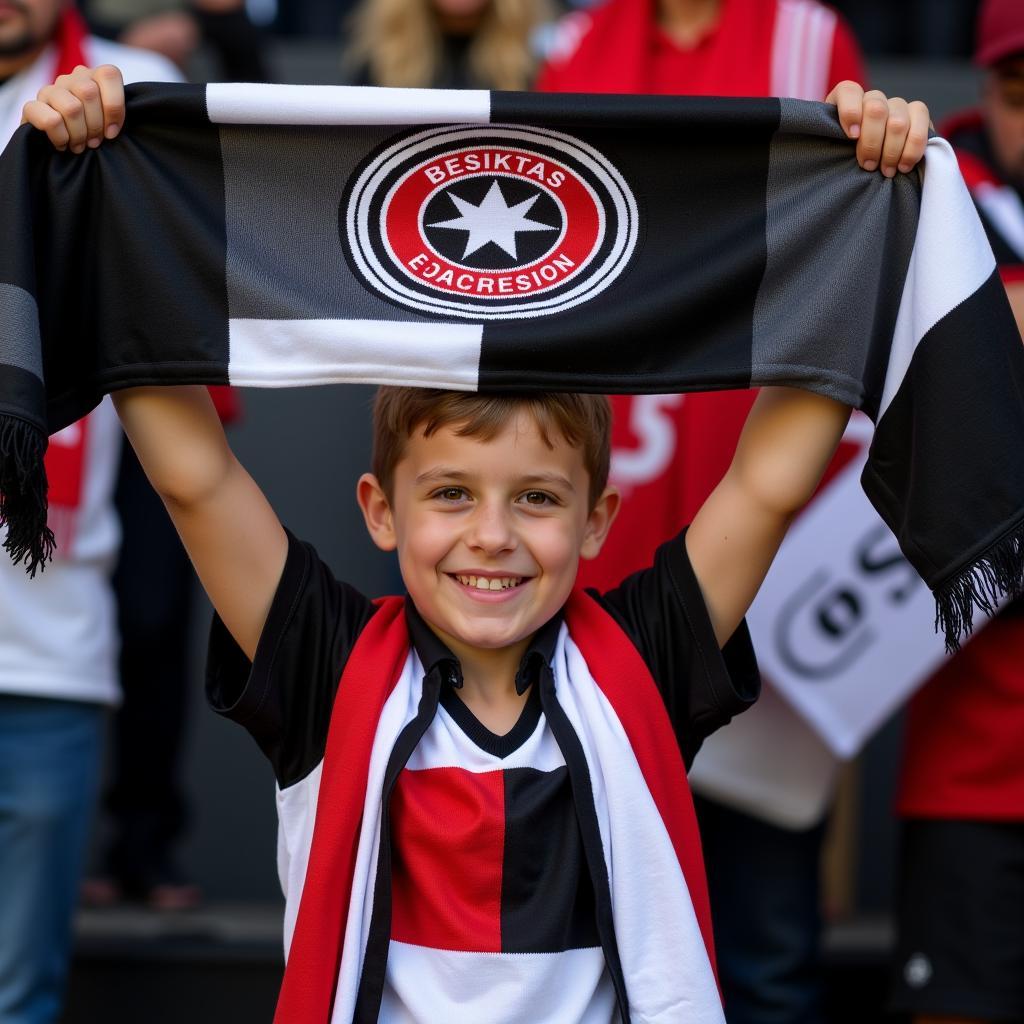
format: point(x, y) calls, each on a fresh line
point(315, 959)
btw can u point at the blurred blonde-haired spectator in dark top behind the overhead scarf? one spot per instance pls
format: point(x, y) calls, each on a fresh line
point(485, 45)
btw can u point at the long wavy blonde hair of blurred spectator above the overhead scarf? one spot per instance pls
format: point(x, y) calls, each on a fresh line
point(401, 44)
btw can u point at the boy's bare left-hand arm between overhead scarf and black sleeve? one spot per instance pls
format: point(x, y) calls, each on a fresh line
point(231, 532)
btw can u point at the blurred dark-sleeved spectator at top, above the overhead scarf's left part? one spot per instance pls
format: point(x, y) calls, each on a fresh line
point(178, 28)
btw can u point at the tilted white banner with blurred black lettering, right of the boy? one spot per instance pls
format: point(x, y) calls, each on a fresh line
point(843, 626)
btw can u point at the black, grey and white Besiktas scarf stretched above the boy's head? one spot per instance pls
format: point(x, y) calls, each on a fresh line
point(284, 236)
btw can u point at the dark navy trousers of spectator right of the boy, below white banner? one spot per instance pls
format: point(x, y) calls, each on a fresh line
point(763, 884)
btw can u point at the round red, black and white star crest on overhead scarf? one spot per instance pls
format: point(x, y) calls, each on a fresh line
point(489, 222)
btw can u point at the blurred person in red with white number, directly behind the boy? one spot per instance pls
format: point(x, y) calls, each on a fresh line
point(797, 49)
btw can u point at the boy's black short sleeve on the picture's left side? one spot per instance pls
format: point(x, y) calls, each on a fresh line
point(285, 697)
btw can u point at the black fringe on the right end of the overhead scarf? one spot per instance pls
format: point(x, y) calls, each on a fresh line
point(997, 574)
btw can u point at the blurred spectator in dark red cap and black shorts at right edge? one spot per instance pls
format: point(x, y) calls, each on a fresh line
point(961, 904)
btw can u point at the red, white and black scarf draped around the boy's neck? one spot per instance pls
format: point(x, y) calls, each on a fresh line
point(629, 782)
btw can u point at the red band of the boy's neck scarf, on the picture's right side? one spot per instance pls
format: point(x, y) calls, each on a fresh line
point(626, 681)
